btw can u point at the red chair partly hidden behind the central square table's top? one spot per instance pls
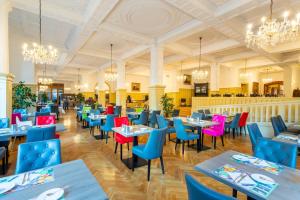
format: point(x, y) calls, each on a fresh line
point(120, 139)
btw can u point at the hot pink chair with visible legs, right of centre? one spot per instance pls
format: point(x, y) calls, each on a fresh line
point(217, 130)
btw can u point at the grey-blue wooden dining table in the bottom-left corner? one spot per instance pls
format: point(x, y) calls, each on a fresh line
point(73, 177)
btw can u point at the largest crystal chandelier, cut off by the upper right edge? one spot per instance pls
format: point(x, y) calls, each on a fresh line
point(273, 31)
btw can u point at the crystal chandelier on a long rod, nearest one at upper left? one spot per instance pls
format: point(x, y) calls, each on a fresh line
point(39, 54)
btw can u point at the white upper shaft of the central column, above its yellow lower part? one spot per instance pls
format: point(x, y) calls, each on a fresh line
point(157, 65)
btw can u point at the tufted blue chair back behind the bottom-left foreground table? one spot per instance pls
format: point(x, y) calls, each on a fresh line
point(36, 155)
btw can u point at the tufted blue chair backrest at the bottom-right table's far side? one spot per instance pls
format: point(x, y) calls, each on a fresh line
point(278, 152)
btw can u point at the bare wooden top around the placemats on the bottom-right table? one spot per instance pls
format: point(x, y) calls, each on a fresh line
point(288, 179)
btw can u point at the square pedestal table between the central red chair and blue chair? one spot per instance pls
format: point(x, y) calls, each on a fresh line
point(136, 130)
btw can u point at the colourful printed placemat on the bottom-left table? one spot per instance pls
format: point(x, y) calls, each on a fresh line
point(28, 179)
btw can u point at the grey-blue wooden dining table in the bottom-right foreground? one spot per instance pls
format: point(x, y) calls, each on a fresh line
point(286, 181)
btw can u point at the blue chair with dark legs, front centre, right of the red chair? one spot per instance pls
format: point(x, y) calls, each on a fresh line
point(152, 149)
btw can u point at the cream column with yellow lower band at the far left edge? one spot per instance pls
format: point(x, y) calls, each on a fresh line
point(5, 77)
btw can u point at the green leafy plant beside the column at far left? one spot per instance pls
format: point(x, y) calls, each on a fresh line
point(22, 96)
